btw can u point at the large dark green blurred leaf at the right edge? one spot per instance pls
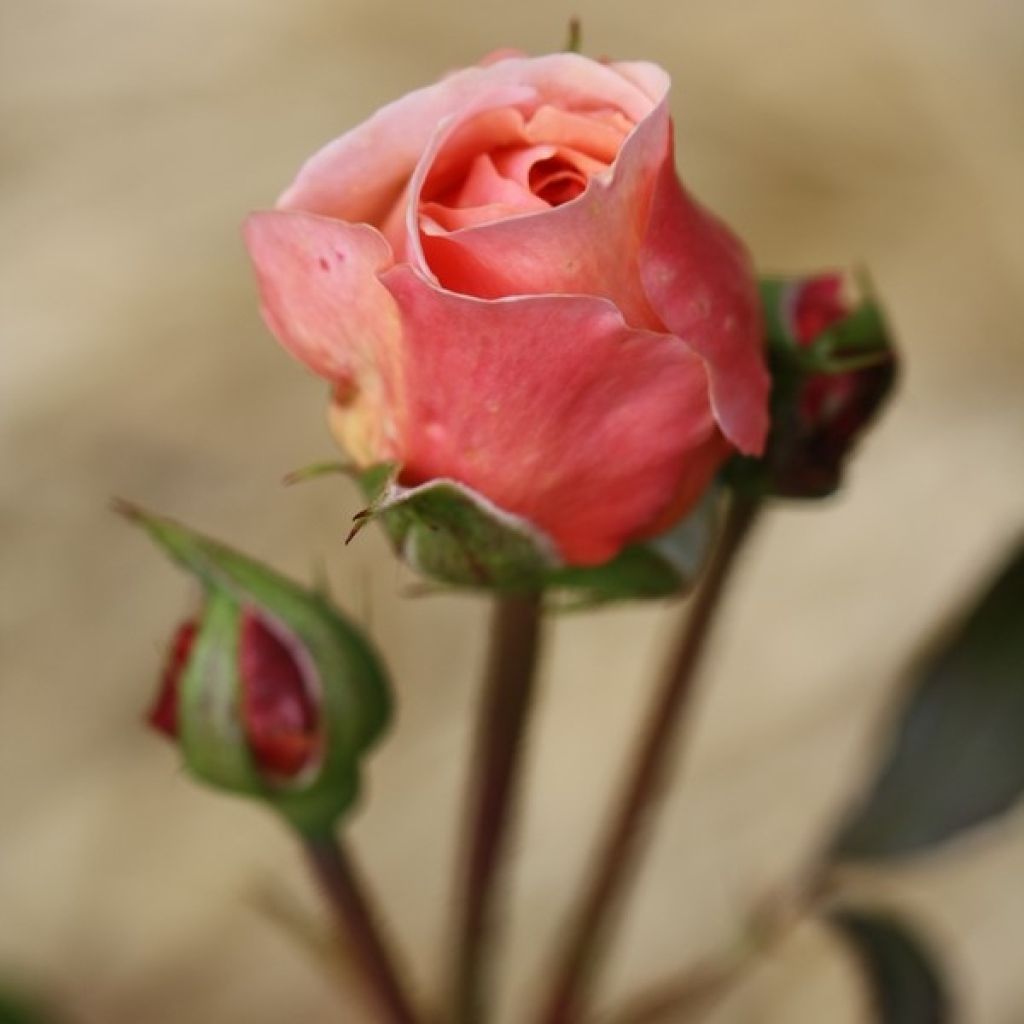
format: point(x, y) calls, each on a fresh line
point(955, 757)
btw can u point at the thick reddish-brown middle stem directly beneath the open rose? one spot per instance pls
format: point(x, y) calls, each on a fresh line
point(494, 780)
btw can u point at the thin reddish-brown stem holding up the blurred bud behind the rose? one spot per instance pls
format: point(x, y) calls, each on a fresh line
point(622, 844)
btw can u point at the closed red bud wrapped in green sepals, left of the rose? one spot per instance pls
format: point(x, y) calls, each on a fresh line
point(270, 692)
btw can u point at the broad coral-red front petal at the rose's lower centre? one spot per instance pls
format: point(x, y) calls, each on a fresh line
point(553, 409)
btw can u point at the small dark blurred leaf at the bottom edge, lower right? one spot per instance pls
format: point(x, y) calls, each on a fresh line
point(906, 985)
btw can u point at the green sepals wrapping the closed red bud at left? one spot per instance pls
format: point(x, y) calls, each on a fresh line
point(355, 696)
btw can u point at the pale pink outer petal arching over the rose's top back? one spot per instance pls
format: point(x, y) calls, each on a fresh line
point(361, 176)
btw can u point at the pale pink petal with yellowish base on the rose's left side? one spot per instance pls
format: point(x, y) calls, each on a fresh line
point(323, 300)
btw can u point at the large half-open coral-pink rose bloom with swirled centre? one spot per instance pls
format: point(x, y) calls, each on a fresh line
point(506, 286)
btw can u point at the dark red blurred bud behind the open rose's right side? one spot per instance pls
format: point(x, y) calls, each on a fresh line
point(833, 367)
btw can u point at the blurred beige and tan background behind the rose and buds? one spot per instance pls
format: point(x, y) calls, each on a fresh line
point(137, 136)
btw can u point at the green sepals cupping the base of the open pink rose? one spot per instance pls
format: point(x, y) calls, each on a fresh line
point(450, 534)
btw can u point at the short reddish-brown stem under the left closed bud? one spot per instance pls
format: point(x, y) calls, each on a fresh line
point(361, 928)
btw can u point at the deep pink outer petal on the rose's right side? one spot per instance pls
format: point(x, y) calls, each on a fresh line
point(699, 280)
